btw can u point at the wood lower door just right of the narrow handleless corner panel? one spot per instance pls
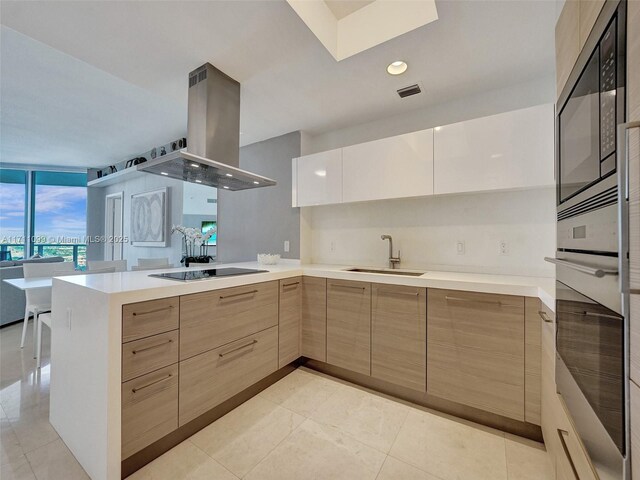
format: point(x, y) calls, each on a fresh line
point(349, 325)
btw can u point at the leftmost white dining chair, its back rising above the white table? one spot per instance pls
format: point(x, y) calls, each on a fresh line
point(39, 300)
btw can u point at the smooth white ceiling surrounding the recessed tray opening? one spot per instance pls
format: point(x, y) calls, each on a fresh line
point(92, 83)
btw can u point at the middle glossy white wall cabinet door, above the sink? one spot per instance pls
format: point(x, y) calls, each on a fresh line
point(393, 167)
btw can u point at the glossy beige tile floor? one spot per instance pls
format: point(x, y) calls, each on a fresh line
point(307, 426)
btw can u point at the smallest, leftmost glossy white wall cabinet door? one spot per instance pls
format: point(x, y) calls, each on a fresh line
point(318, 179)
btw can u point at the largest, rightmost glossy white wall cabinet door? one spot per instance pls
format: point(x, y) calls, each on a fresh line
point(505, 151)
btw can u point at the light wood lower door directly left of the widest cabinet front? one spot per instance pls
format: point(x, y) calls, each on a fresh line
point(399, 335)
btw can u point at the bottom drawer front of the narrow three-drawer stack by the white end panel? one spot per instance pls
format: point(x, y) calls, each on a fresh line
point(149, 409)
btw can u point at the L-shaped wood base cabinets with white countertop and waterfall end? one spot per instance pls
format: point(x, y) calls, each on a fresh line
point(140, 363)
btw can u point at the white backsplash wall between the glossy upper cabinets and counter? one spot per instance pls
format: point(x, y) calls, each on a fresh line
point(427, 229)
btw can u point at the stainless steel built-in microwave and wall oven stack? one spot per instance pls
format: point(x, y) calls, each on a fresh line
point(591, 260)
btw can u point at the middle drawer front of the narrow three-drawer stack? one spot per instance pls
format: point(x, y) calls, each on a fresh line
point(148, 354)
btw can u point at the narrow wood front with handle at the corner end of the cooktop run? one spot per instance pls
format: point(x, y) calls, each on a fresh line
point(289, 321)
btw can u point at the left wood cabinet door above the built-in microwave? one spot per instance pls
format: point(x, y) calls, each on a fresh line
point(567, 42)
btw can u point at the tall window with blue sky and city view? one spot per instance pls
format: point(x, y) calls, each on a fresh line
point(56, 217)
